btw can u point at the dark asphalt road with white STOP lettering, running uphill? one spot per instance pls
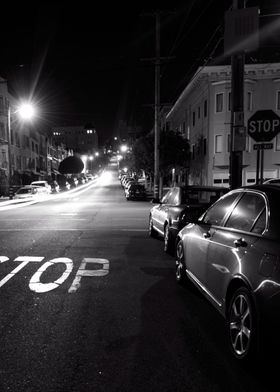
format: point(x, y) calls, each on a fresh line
point(89, 303)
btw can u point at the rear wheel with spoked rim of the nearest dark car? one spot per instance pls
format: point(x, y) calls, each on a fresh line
point(242, 325)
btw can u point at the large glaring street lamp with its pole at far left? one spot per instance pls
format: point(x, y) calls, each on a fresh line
point(26, 112)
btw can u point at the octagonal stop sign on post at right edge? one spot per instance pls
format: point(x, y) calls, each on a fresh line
point(264, 125)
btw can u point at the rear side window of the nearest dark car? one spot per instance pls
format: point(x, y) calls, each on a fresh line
point(246, 212)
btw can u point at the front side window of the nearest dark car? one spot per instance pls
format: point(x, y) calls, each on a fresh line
point(217, 212)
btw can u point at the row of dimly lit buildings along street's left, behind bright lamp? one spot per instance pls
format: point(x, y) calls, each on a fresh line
point(26, 156)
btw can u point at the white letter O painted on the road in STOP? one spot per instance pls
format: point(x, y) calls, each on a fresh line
point(36, 285)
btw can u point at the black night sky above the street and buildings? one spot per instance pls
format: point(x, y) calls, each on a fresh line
point(85, 61)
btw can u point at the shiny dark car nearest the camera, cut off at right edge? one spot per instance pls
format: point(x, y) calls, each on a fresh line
point(232, 254)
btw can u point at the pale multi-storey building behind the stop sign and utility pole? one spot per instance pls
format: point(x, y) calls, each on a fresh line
point(202, 113)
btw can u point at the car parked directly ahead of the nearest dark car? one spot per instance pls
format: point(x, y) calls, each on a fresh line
point(177, 208)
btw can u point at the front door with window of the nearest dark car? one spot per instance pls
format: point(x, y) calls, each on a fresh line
point(198, 237)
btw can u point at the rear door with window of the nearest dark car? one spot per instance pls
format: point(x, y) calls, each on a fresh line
point(232, 246)
